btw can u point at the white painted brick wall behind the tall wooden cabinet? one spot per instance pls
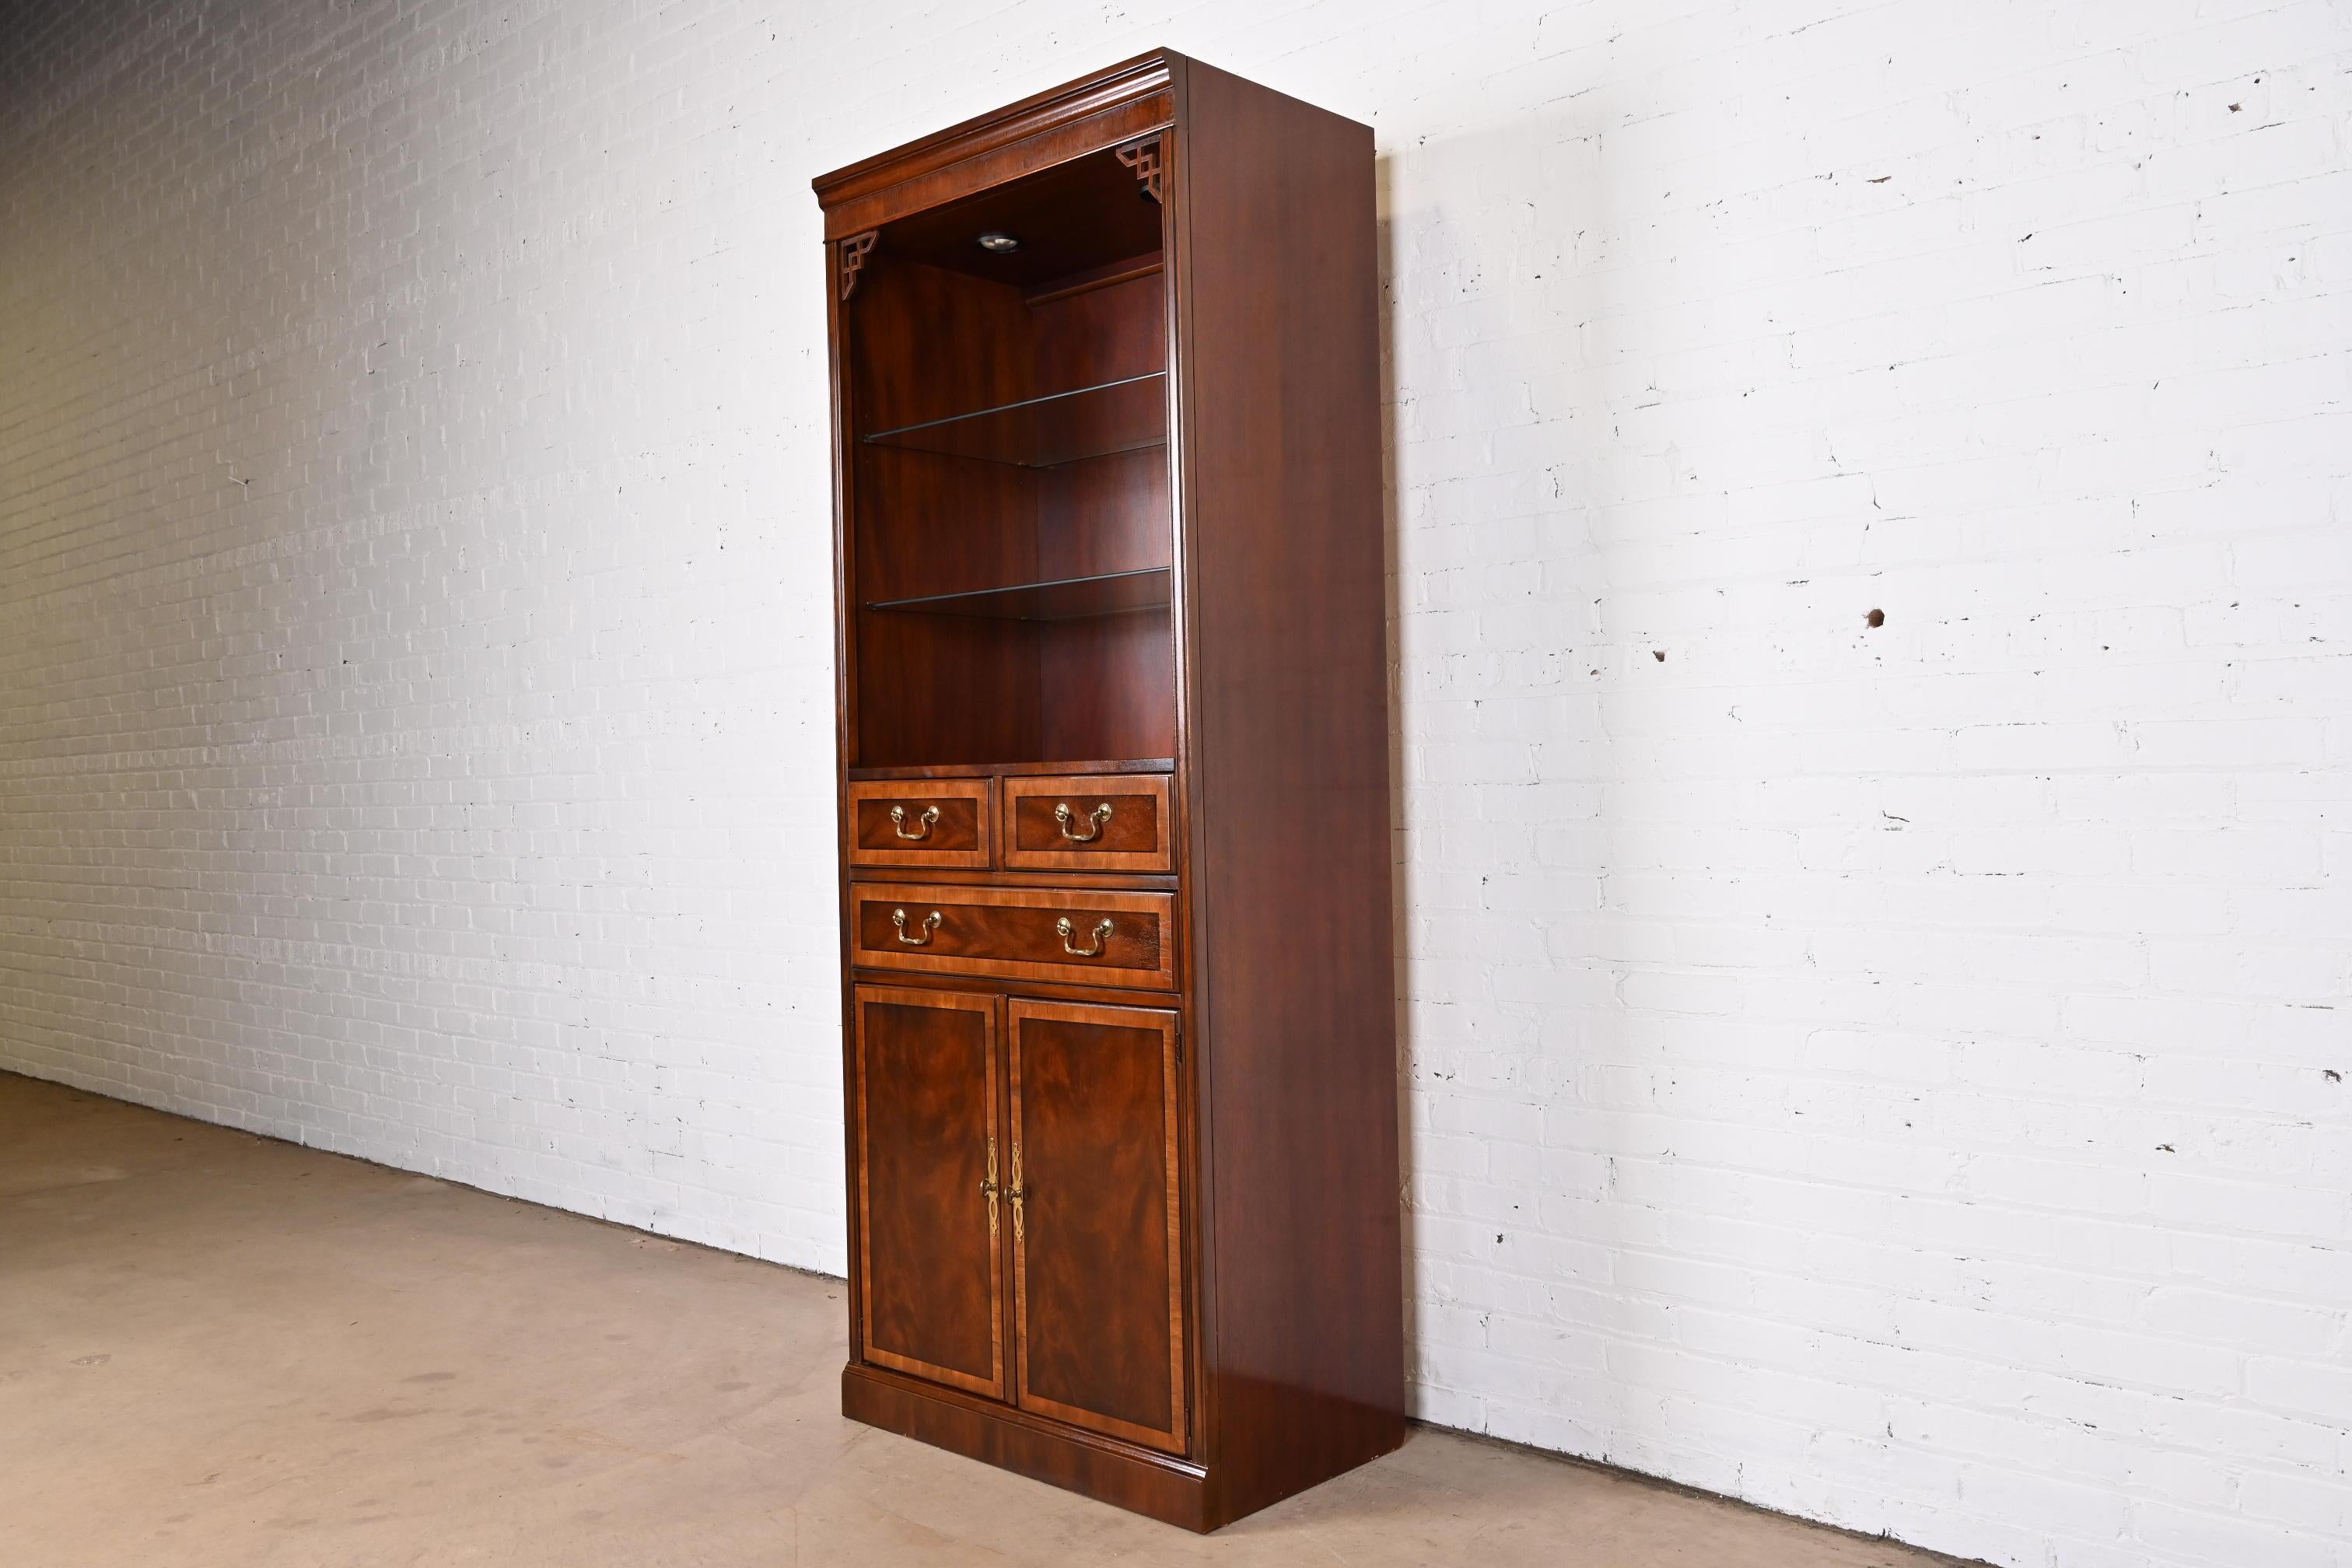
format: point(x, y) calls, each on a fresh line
point(1892, 1076)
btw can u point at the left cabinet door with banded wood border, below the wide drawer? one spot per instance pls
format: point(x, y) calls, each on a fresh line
point(928, 1186)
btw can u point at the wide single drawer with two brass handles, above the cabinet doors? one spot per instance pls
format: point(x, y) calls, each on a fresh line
point(1036, 934)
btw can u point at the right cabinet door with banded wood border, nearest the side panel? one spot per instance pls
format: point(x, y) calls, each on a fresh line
point(1097, 1240)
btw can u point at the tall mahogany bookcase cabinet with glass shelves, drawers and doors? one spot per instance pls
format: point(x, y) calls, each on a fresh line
point(1114, 793)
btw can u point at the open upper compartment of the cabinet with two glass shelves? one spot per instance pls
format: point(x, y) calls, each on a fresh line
point(1010, 502)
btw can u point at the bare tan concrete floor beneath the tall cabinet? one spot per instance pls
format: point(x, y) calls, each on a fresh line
point(229, 1351)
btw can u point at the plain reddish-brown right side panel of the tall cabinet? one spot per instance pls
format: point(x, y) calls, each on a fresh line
point(1288, 753)
